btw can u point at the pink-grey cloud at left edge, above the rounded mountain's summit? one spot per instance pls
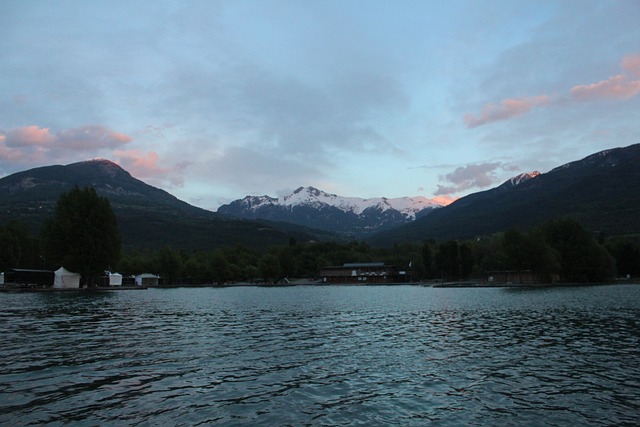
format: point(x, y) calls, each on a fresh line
point(33, 145)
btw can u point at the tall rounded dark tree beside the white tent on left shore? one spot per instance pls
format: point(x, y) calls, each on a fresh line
point(83, 234)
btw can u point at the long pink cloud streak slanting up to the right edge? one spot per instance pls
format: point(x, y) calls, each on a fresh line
point(620, 86)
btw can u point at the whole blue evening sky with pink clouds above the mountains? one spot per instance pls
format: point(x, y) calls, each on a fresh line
point(215, 100)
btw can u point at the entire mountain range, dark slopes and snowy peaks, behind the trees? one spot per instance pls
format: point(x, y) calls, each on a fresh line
point(602, 191)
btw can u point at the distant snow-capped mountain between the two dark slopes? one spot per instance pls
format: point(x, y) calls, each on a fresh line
point(314, 208)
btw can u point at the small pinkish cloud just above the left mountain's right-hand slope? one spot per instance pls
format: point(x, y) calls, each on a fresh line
point(146, 166)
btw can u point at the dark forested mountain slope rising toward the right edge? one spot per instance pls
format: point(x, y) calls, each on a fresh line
point(601, 191)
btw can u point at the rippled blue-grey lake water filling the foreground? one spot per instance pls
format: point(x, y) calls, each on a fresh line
point(382, 355)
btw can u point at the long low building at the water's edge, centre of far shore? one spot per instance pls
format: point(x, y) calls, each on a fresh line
point(363, 273)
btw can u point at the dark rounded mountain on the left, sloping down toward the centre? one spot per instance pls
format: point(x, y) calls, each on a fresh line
point(148, 217)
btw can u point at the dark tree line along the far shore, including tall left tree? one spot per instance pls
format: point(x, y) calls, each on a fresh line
point(83, 236)
